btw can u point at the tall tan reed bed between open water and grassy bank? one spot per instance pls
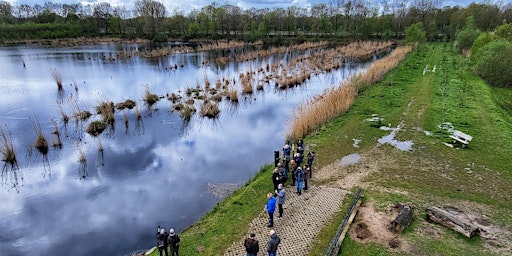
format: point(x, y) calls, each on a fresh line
point(314, 113)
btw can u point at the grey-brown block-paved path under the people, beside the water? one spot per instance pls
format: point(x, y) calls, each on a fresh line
point(303, 218)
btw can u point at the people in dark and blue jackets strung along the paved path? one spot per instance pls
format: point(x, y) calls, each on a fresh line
point(283, 167)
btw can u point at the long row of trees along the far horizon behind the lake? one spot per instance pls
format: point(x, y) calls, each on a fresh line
point(151, 20)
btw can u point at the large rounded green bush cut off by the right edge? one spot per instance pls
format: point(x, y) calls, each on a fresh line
point(494, 63)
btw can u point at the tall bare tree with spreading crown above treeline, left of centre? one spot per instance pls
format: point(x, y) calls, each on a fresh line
point(152, 12)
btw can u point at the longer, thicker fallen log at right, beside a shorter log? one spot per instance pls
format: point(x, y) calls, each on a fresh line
point(452, 221)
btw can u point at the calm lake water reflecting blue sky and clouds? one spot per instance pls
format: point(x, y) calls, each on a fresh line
point(151, 173)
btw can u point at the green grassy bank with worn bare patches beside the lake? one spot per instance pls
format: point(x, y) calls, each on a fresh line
point(475, 180)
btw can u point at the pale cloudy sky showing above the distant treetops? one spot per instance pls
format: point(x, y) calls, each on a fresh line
point(188, 5)
